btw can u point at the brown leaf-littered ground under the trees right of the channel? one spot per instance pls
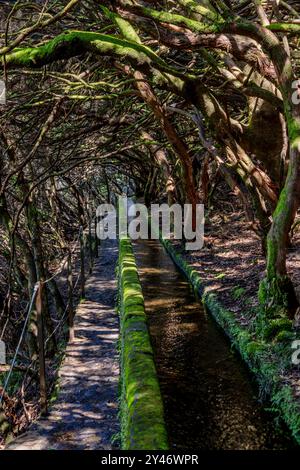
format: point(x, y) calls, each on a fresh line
point(232, 263)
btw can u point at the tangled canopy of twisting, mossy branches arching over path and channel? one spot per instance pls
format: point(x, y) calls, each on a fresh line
point(162, 97)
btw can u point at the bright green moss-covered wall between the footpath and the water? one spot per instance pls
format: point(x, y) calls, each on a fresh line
point(142, 415)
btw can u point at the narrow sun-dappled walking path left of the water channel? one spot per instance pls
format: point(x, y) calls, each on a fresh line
point(85, 413)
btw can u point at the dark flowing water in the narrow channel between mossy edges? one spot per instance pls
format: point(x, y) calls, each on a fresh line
point(209, 399)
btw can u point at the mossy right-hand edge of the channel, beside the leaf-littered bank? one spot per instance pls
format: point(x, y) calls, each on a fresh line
point(259, 356)
